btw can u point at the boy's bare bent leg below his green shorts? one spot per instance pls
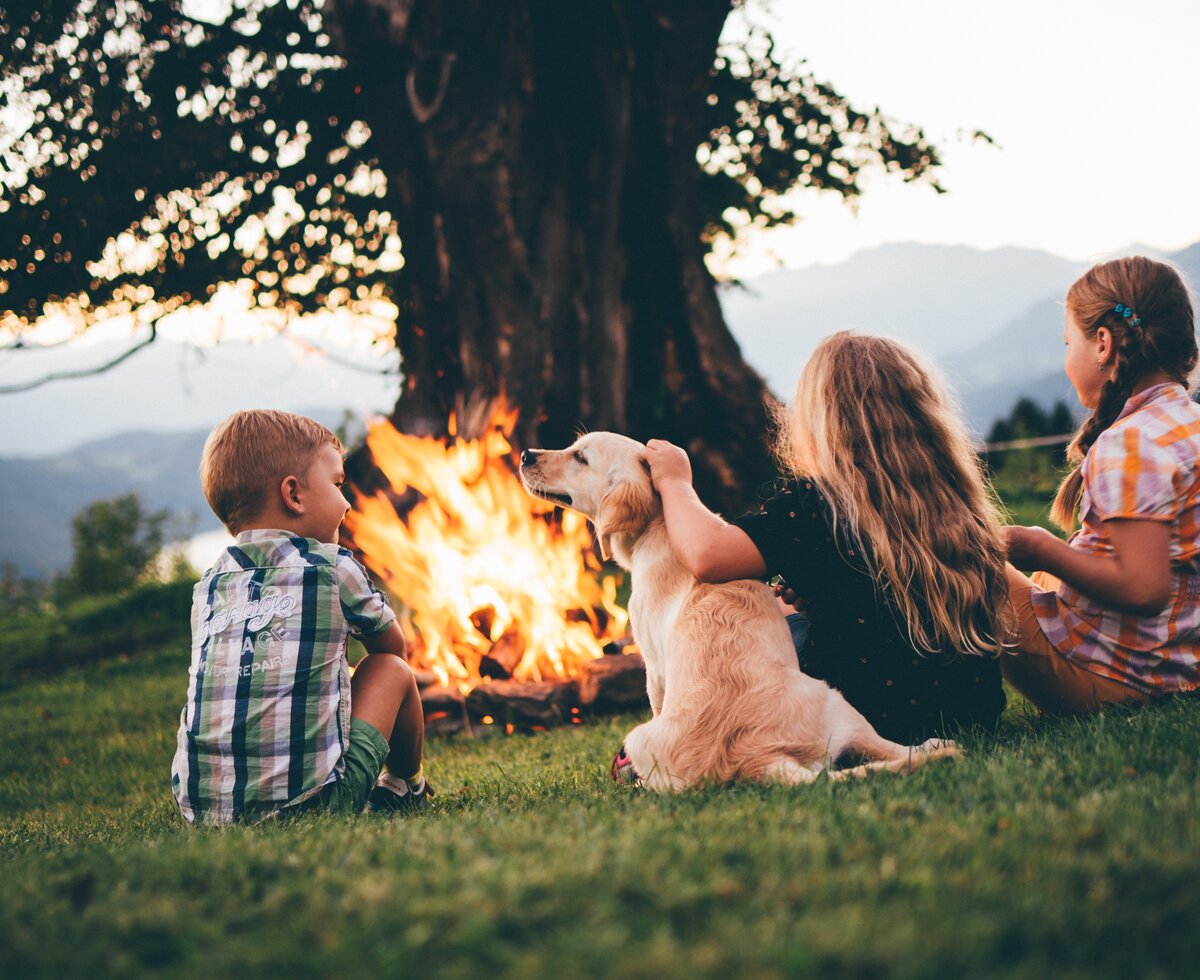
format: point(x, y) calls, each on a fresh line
point(383, 693)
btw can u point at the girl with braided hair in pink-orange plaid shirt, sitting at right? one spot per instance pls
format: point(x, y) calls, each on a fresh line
point(1113, 615)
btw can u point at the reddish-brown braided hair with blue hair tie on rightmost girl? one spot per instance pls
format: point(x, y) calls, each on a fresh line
point(1149, 311)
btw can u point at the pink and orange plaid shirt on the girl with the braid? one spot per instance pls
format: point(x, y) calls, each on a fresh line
point(1145, 467)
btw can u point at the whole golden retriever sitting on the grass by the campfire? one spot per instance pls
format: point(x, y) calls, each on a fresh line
point(729, 699)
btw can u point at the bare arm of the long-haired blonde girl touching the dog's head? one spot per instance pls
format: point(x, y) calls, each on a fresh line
point(706, 546)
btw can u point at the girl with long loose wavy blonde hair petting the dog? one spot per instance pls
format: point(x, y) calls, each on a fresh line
point(886, 532)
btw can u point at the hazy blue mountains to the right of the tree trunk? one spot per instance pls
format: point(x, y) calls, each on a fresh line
point(993, 320)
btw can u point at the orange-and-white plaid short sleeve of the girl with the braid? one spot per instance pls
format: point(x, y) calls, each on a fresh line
point(1130, 476)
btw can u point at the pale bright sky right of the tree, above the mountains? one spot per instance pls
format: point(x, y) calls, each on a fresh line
point(1094, 107)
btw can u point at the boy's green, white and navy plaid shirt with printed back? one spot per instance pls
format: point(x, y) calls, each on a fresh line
point(268, 713)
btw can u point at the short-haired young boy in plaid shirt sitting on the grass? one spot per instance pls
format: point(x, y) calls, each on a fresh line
point(273, 724)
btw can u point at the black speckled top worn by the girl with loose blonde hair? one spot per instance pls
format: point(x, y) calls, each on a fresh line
point(856, 641)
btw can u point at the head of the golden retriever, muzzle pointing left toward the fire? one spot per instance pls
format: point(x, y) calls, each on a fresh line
point(603, 477)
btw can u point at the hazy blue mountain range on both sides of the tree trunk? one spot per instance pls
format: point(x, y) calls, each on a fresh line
point(992, 320)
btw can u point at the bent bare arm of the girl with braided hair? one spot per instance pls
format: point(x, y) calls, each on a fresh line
point(1135, 579)
